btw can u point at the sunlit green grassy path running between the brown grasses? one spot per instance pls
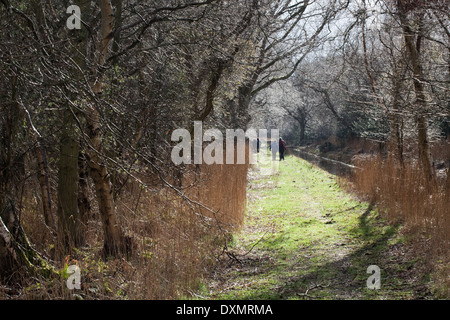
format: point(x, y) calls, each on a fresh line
point(306, 238)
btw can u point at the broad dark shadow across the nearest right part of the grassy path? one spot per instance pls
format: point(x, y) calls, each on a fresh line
point(344, 278)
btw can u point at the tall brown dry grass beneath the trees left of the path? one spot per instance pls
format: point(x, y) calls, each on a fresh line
point(178, 230)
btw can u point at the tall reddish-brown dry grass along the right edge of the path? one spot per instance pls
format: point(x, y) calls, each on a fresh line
point(405, 195)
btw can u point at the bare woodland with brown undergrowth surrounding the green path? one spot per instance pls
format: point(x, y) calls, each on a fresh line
point(86, 117)
